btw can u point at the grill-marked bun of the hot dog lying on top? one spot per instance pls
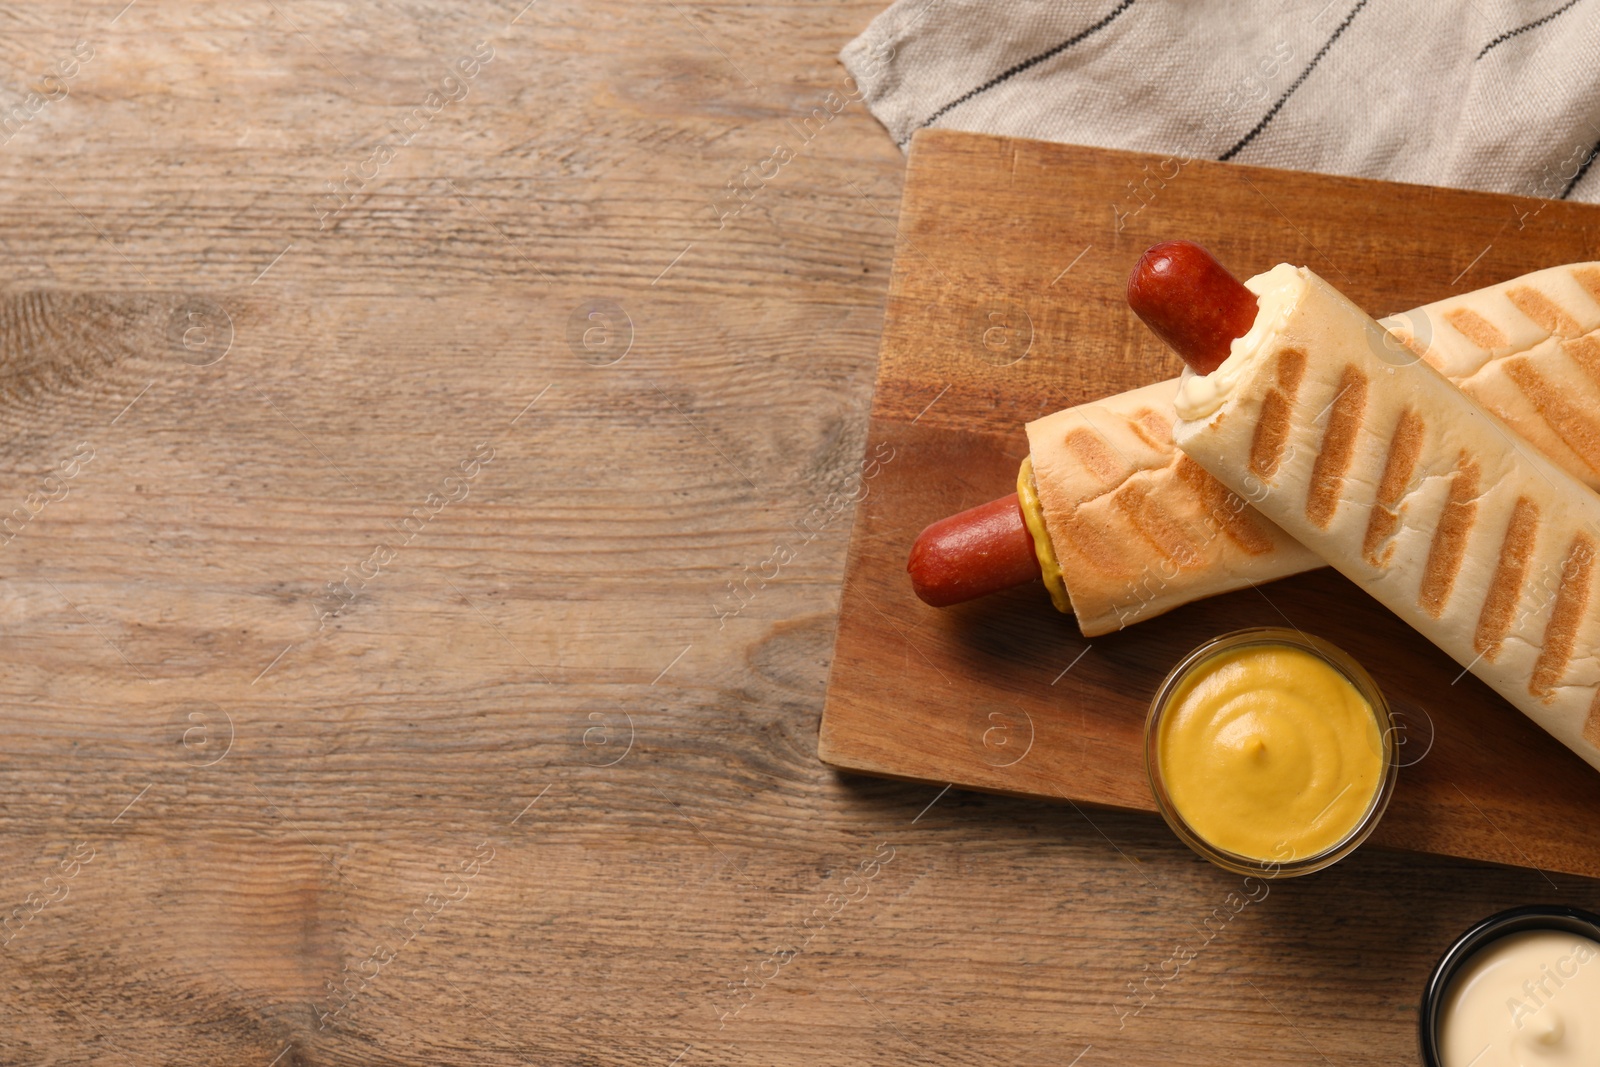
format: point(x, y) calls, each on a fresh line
point(1412, 490)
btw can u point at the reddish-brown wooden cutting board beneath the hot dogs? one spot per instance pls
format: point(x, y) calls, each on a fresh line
point(1007, 305)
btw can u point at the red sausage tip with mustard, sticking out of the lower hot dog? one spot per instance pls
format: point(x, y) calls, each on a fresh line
point(978, 553)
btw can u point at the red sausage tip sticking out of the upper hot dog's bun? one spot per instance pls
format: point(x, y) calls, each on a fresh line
point(1191, 302)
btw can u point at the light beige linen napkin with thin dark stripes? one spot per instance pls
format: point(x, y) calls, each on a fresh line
point(1473, 94)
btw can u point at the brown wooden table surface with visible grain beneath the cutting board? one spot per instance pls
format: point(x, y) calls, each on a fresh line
point(374, 684)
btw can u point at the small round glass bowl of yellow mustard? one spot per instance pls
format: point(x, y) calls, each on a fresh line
point(1270, 749)
